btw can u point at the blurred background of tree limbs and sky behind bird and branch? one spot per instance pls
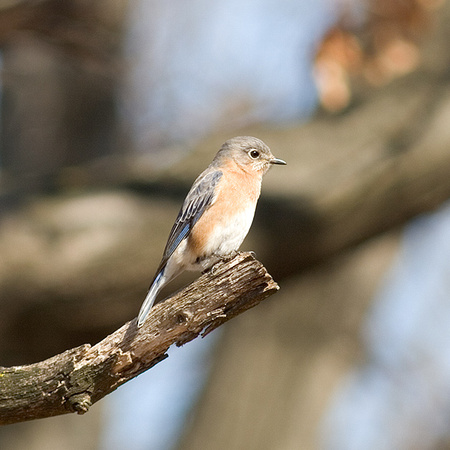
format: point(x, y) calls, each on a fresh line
point(110, 109)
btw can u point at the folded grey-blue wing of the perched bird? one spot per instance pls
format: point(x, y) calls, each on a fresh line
point(199, 198)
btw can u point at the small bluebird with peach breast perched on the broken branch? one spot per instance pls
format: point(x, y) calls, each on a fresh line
point(216, 214)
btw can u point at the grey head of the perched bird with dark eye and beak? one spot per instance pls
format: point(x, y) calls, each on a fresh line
point(249, 153)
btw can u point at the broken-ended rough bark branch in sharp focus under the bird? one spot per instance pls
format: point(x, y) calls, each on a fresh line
point(77, 378)
